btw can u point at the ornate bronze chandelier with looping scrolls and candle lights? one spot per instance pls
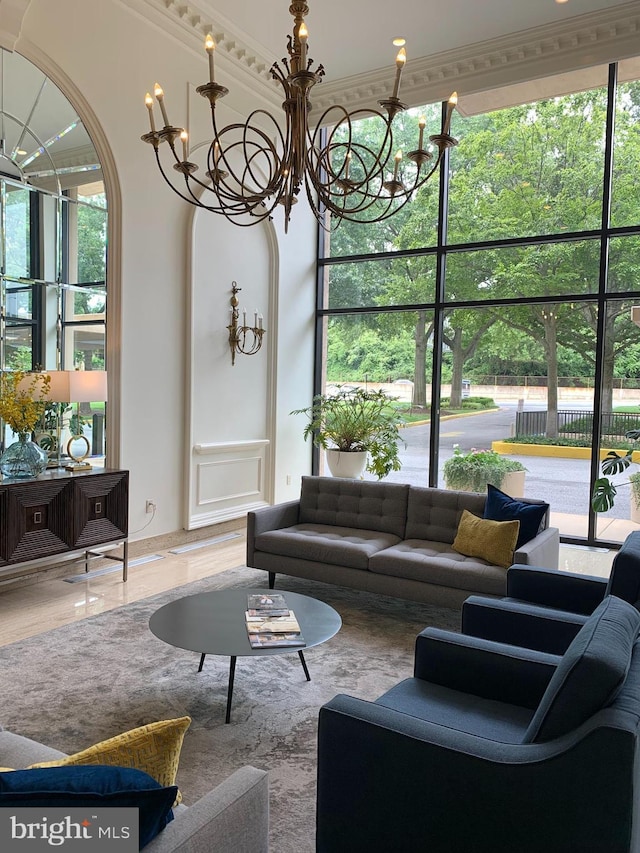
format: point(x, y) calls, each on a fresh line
point(253, 167)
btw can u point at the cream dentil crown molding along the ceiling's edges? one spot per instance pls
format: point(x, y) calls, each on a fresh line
point(579, 42)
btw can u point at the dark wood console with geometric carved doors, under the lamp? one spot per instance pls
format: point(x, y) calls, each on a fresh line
point(59, 513)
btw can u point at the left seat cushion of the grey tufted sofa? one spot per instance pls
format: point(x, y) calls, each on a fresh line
point(324, 543)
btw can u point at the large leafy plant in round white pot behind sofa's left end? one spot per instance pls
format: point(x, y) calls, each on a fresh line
point(355, 421)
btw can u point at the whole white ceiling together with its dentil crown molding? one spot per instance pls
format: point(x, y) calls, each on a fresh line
point(463, 45)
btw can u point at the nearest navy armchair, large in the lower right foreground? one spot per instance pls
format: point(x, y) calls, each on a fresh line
point(490, 748)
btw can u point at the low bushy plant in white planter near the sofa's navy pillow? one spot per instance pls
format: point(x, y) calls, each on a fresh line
point(472, 471)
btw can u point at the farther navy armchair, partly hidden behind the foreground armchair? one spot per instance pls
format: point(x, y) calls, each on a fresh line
point(544, 609)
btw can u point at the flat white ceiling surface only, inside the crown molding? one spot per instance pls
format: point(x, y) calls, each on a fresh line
point(351, 36)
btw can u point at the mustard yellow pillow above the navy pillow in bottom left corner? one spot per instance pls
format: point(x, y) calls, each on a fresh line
point(154, 748)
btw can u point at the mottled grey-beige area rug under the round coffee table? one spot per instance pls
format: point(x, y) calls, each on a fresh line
point(74, 686)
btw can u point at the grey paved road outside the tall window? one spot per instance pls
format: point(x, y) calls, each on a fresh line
point(564, 483)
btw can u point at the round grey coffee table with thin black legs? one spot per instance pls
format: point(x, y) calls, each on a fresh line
point(213, 623)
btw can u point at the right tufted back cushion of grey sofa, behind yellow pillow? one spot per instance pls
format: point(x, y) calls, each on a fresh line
point(434, 514)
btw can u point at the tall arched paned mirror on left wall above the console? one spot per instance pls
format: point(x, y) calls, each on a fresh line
point(53, 244)
